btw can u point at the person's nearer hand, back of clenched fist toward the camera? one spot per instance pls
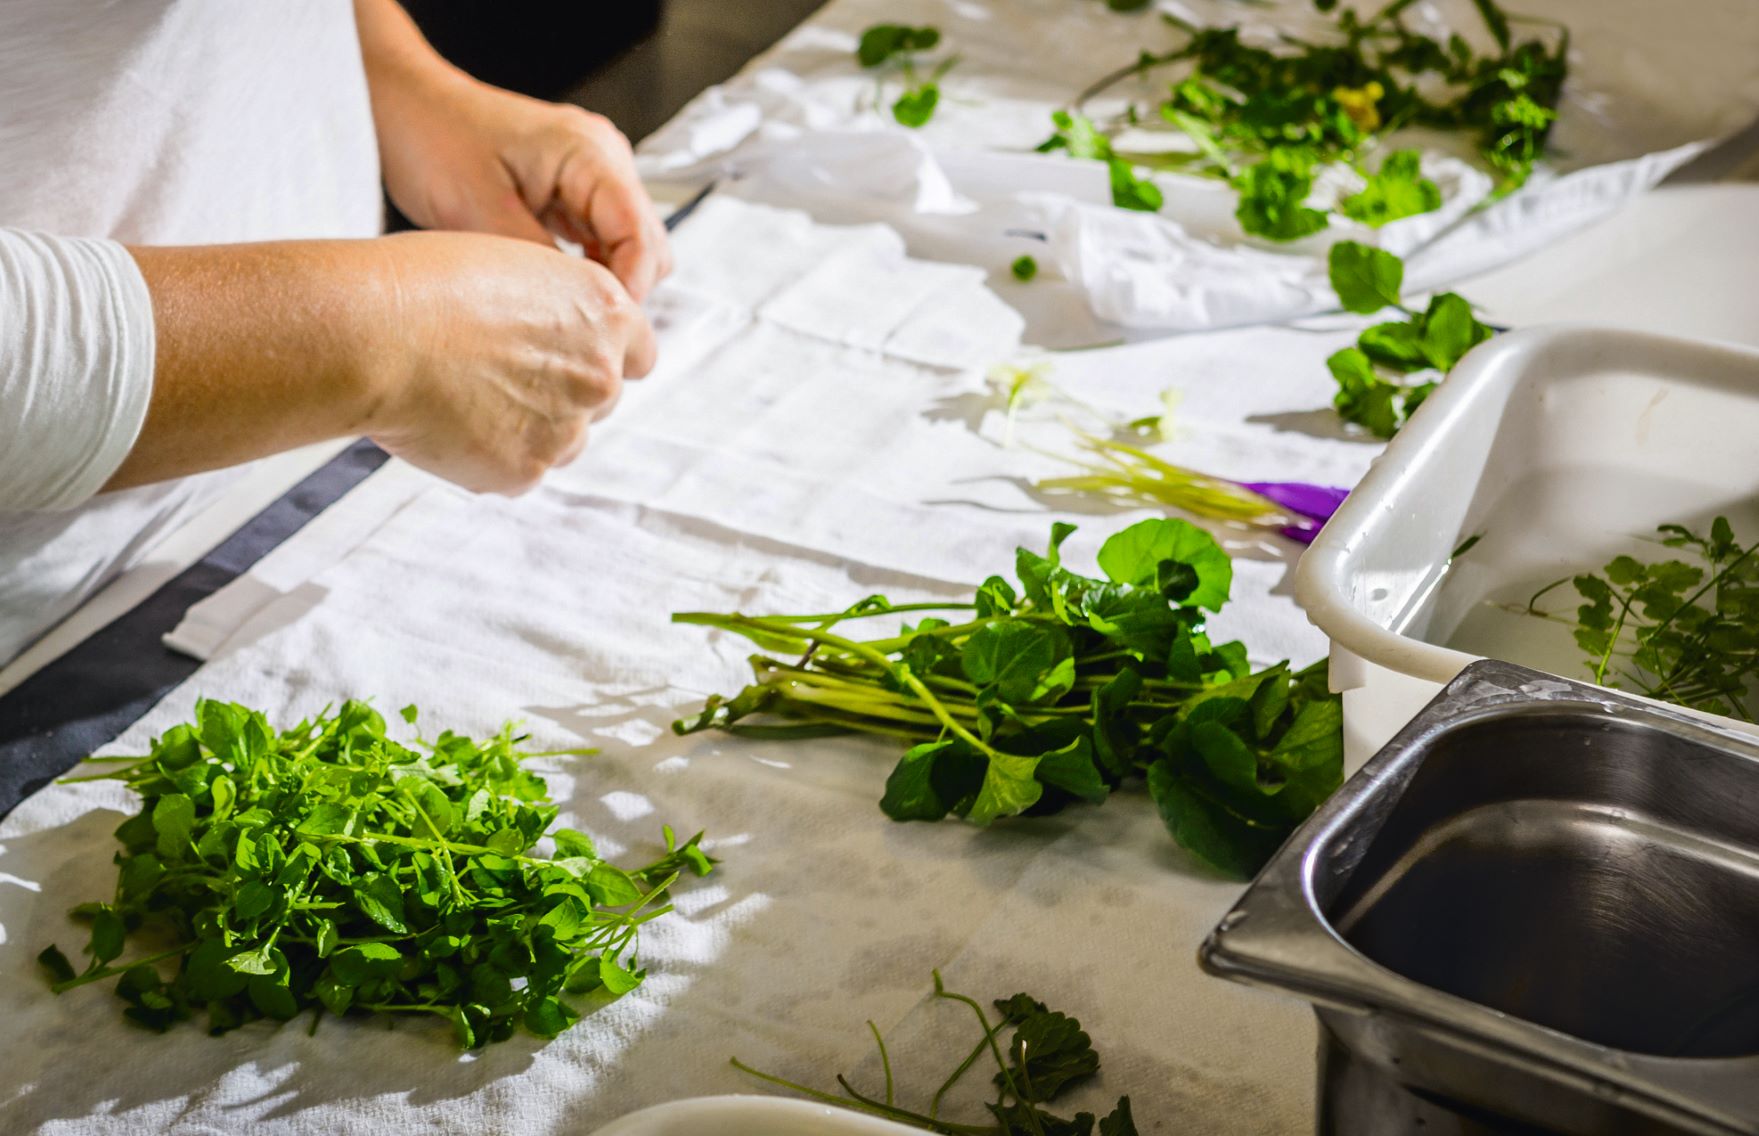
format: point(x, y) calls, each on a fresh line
point(500, 358)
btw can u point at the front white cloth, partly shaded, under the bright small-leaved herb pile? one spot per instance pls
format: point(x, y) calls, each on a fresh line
point(553, 609)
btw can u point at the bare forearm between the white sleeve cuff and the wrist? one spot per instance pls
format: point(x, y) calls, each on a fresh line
point(261, 349)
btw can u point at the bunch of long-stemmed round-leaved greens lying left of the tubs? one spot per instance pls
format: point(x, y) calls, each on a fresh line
point(1062, 692)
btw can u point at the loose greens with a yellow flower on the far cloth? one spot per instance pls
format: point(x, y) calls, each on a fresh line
point(1269, 120)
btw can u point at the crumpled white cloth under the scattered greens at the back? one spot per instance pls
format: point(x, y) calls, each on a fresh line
point(1651, 87)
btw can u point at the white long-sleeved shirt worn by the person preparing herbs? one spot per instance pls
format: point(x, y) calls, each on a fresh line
point(152, 122)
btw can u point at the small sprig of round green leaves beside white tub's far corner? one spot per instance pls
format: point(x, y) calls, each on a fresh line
point(1396, 365)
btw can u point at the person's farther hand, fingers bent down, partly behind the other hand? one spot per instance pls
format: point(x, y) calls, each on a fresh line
point(465, 156)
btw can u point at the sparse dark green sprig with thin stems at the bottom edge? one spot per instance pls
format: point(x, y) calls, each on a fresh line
point(1047, 1056)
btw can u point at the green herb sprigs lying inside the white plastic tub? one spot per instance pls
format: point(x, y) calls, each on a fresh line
point(1677, 630)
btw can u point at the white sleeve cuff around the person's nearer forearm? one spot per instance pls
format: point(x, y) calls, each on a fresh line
point(77, 367)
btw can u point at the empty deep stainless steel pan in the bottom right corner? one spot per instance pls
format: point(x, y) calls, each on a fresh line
point(1536, 910)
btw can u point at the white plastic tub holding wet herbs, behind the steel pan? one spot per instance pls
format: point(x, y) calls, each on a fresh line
point(1559, 449)
